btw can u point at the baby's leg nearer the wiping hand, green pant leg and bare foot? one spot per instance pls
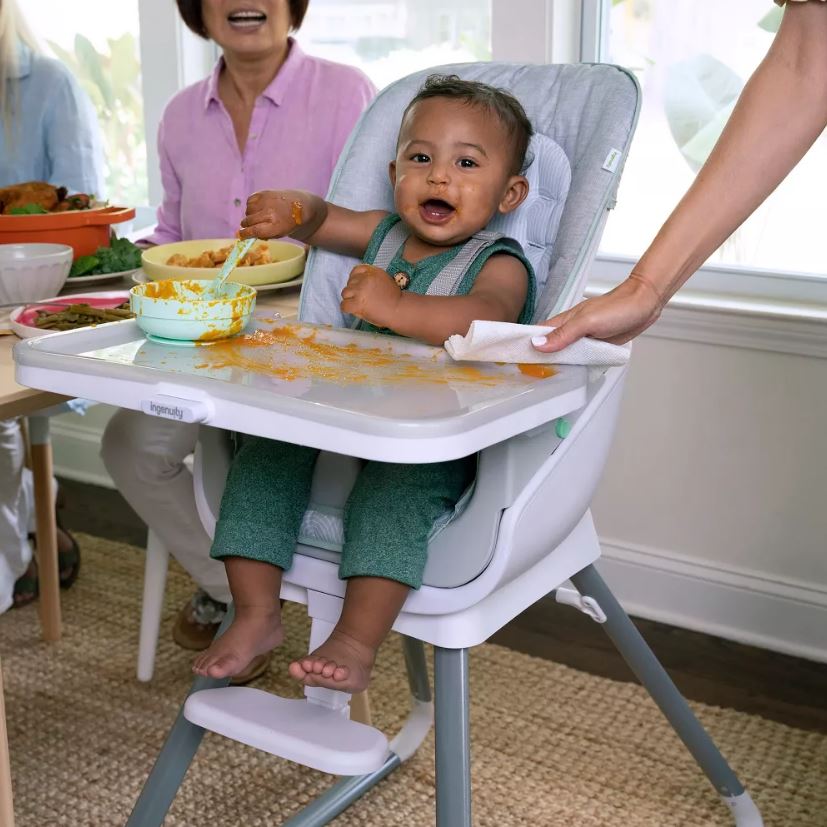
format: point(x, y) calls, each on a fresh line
point(388, 518)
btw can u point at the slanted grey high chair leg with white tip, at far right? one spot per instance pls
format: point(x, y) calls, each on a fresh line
point(657, 682)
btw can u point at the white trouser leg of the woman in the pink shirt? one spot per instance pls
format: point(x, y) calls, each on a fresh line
point(145, 456)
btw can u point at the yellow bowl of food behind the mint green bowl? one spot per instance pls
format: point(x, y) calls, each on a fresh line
point(287, 263)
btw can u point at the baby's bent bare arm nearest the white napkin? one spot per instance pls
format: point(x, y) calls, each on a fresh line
point(498, 294)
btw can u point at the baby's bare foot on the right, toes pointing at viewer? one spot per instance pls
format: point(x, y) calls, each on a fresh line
point(341, 662)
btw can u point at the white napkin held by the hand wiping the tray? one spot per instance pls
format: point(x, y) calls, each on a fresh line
point(506, 342)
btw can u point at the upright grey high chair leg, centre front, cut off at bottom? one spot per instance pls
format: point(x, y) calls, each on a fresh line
point(453, 738)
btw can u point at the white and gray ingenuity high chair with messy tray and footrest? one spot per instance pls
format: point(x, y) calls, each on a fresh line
point(525, 529)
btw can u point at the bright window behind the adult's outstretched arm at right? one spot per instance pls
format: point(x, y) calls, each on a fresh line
point(692, 58)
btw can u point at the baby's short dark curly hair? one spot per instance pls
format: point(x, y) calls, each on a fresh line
point(499, 102)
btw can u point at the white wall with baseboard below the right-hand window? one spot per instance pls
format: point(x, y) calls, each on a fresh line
point(712, 512)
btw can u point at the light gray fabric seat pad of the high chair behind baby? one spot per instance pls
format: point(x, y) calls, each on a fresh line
point(583, 116)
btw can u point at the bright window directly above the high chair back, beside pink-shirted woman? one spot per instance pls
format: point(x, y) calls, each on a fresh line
point(388, 39)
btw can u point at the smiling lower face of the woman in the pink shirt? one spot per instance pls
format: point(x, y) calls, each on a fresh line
point(247, 27)
